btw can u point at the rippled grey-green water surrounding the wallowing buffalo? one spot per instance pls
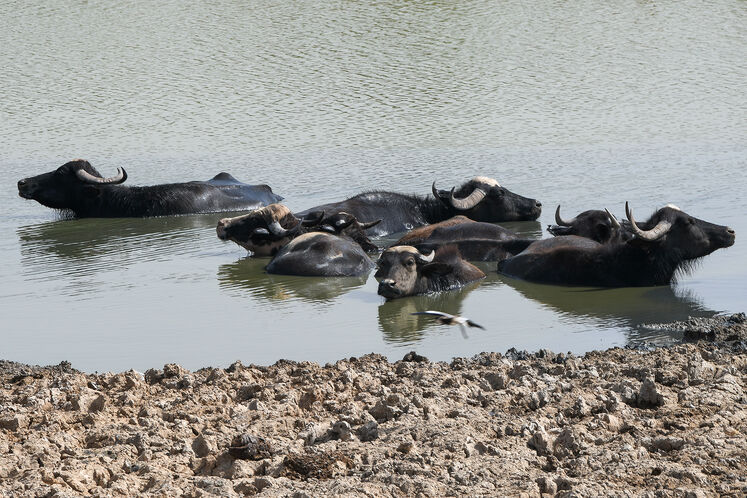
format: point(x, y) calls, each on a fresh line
point(587, 105)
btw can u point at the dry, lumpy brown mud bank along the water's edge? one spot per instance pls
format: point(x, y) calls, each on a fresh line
point(670, 422)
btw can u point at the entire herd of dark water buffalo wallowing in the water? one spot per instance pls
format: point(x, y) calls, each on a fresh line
point(444, 231)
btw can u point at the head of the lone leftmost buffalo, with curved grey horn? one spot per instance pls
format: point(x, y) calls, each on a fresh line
point(69, 186)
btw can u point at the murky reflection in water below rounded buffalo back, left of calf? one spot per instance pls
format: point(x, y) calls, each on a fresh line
point(247, 276)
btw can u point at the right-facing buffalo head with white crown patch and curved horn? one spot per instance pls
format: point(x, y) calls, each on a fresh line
point(484, 199)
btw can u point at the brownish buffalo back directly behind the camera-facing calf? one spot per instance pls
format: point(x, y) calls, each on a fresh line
point(476, 240)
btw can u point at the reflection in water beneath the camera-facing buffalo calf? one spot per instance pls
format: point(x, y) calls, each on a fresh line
point(398, 325)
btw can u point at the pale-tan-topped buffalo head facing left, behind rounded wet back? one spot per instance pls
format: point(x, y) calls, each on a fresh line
point(263, 231)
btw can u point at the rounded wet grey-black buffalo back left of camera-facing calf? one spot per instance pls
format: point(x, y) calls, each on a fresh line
point(321, 254)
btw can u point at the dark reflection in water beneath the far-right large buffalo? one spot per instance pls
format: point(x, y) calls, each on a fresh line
point(629, 307)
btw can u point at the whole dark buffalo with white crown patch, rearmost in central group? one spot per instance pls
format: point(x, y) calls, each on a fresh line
point(480, 199)
